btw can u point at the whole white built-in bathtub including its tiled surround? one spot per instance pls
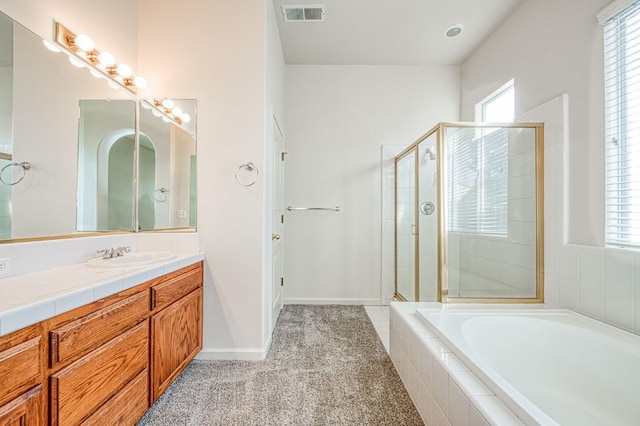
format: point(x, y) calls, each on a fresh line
point(441, 351)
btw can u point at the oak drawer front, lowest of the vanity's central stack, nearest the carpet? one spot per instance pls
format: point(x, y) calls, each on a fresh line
point(126, 407)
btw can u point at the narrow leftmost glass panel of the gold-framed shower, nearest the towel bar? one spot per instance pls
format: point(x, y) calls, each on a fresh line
point(406, 229)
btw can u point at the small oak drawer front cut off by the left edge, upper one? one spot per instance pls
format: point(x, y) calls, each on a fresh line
point(19, 368)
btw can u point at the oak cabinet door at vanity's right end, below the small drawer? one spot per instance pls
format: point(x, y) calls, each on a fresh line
point(176, 337)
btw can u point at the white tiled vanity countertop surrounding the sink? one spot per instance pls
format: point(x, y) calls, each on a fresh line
point(49, 277)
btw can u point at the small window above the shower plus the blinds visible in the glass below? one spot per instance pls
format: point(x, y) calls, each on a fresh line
point(478, 169)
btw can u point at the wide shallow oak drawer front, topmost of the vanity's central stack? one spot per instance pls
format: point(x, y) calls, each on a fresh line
point(87, 333)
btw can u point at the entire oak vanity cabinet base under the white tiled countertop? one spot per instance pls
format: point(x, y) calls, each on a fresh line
point(105, 362)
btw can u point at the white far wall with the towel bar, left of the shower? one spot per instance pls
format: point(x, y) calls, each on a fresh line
point(338, 117)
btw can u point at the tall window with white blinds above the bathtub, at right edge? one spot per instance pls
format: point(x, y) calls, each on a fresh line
point(622, 127)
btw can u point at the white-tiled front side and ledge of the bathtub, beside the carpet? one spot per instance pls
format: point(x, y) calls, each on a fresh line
point(442, 387)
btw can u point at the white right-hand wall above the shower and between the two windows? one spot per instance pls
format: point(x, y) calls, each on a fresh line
point(551, 47)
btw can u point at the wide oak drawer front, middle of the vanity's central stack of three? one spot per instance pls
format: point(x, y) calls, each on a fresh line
point(80, 388)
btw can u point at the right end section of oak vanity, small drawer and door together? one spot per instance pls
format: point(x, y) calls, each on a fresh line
point(176, 326)
